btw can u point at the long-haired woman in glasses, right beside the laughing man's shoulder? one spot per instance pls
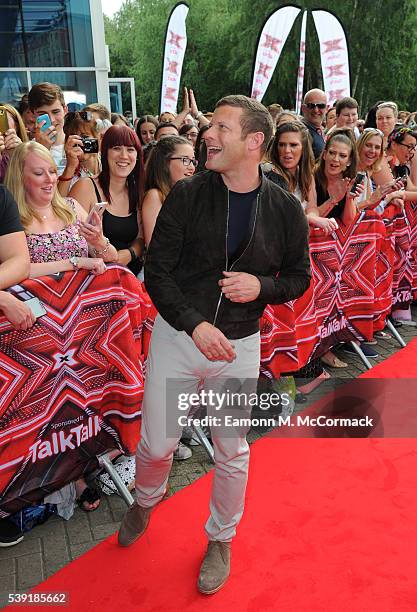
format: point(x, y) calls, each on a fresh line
point(172, 159)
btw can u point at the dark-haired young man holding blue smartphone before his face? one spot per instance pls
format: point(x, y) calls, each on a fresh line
point(47, 102)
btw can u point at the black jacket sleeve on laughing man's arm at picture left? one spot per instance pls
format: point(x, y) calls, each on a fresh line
point(162, 258)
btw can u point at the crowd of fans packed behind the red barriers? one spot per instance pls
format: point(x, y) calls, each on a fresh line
point(58, 166)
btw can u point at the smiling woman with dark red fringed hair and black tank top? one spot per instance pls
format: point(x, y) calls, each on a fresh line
point(120, 185)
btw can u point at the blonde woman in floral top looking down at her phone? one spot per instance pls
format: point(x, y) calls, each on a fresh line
point(58, 235)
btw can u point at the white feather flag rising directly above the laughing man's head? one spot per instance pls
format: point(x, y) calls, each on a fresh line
point(273, 36)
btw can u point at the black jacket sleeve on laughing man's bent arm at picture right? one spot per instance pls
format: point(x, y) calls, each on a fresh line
point(294, 275)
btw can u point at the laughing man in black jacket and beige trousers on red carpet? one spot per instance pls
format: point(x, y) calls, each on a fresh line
point(226, 243)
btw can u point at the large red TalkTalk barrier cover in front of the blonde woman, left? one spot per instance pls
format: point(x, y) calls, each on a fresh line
point(71, 386)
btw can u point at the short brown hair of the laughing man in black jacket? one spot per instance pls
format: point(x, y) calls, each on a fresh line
point(255, 117)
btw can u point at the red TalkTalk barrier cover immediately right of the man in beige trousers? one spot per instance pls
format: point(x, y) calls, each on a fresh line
point(337, 307)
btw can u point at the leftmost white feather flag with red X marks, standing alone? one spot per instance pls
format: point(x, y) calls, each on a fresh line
point(175, 45)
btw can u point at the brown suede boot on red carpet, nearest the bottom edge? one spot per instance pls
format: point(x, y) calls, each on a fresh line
point(215, 568)
